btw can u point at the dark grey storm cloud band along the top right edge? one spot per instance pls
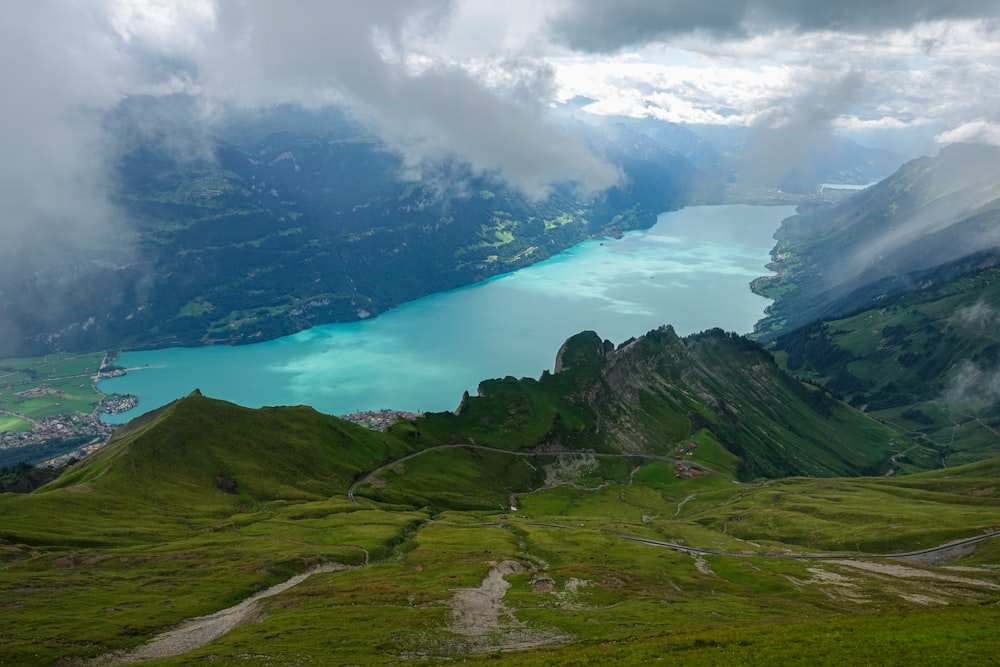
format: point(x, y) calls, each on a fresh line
point(600, 26)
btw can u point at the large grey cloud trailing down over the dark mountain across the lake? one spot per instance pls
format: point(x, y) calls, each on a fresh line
point(358, 54)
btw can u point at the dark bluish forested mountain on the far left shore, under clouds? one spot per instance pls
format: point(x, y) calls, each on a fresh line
point(273, 222)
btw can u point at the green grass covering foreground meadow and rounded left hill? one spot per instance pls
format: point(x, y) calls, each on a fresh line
point(150, 532)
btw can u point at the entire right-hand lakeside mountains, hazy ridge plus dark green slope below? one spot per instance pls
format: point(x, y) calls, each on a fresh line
point(890, 301)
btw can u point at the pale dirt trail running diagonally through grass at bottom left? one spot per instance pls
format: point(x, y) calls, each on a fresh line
point(196, 632)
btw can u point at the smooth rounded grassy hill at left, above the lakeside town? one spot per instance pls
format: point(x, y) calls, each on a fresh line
point(192, 462)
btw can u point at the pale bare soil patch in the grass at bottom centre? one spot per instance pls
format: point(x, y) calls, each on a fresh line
point(484, 623)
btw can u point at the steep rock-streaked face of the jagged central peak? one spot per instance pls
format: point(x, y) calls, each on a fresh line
point(652, 392)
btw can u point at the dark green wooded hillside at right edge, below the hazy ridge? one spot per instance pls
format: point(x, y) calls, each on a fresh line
point(926, 360)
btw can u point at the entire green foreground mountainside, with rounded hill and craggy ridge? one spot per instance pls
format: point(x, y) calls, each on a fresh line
point(593, 515)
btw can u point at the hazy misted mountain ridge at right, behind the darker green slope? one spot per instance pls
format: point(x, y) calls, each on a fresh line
point(932, 212)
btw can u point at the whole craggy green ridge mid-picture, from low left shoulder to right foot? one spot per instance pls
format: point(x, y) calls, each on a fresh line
point(655, 393)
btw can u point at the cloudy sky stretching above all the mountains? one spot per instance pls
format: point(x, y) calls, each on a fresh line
point(477, 80)
